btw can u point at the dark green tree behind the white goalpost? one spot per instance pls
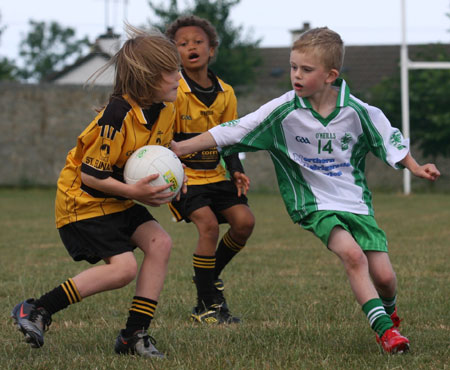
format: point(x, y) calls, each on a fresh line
point(428, 103)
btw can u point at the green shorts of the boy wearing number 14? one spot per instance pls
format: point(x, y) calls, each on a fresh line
point(363, 228)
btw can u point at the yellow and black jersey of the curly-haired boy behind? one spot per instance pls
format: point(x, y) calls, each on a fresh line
point(196, 115)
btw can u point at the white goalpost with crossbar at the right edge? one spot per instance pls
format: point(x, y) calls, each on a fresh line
point(406, 65)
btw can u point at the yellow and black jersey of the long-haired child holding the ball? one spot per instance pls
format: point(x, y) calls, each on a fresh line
point(102, 151)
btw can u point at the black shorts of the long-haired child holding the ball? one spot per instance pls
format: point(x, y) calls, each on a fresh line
point(100, 237)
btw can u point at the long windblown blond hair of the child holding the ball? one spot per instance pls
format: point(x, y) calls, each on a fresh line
point(139, 65)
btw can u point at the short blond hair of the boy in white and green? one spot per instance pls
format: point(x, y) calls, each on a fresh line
point(325, 44)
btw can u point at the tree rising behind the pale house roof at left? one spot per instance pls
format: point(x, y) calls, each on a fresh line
point(48, 48)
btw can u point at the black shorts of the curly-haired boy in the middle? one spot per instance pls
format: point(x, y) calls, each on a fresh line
point(218, 196)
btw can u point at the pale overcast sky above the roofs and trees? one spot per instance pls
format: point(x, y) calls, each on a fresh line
point(358, 22)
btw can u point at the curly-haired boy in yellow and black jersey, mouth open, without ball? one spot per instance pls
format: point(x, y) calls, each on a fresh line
point(205, 101)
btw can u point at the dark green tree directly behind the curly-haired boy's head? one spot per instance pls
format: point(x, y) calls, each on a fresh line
point(237, 57)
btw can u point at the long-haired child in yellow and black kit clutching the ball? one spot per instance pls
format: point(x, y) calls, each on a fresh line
point(96, 215)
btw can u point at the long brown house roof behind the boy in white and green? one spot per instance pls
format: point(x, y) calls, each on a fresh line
point(364, 66)
